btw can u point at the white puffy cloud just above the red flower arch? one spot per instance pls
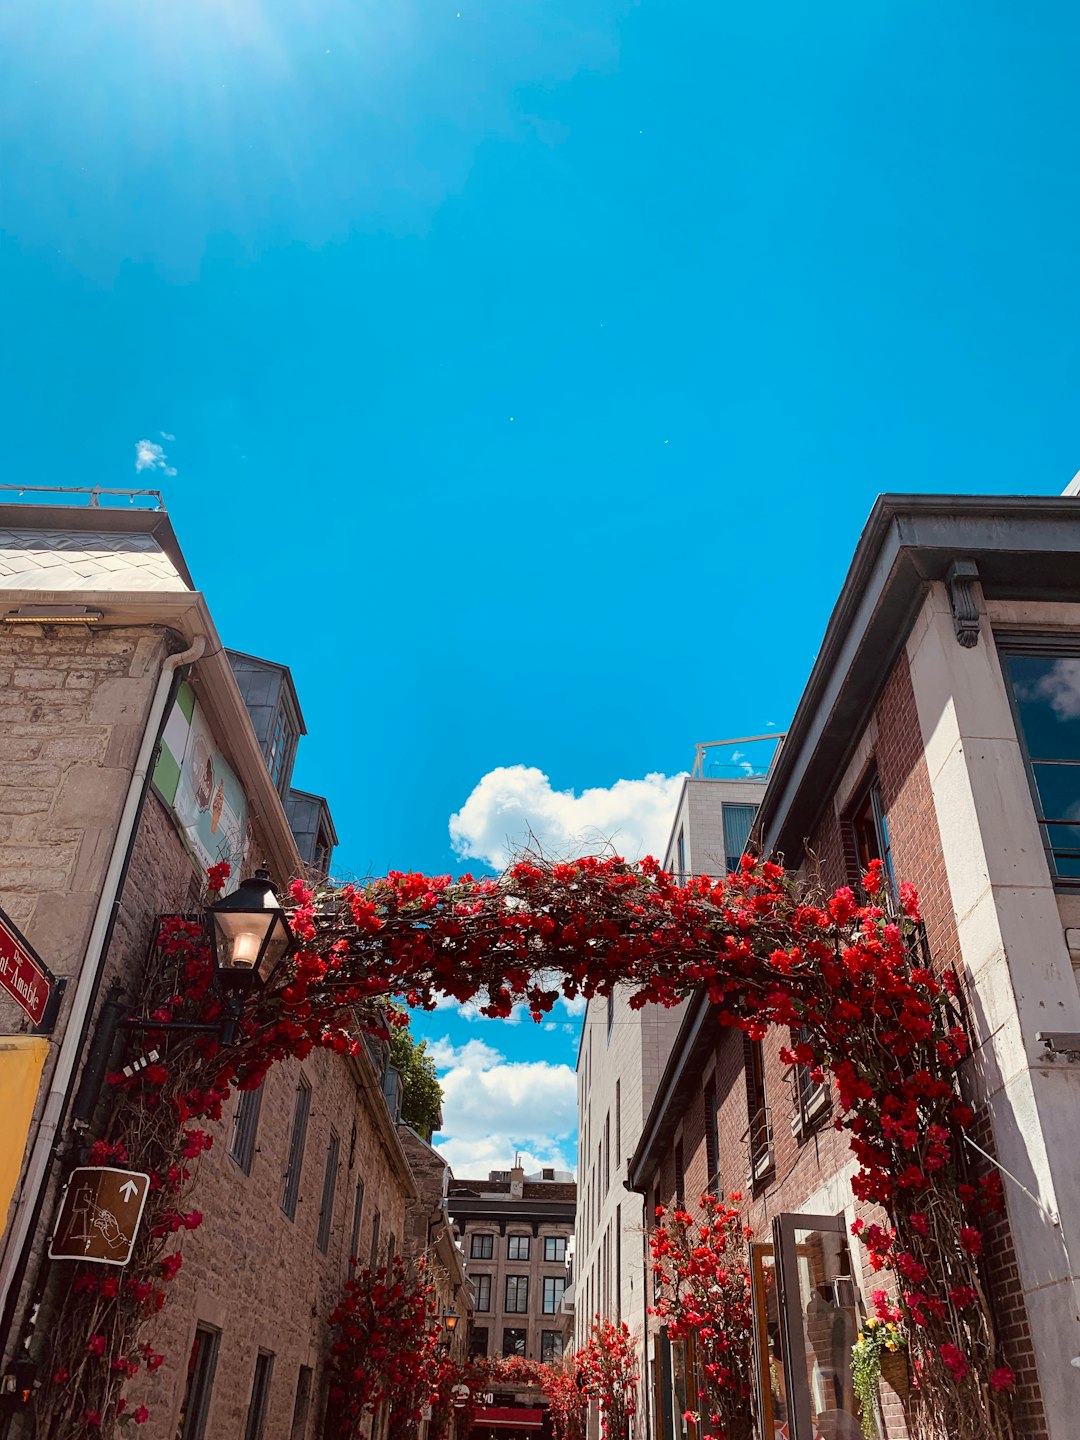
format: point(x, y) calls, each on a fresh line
point(515, 806)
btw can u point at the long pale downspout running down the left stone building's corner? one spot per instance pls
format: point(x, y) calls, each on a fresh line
point(47, 1141)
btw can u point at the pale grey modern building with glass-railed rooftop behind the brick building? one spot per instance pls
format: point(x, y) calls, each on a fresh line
point(621, 1058)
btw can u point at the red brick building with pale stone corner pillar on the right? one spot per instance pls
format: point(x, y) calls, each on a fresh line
point(938, 732)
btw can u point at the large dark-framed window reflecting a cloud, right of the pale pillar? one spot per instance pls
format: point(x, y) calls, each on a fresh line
point(1045, 683)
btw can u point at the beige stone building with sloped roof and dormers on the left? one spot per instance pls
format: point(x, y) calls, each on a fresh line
point(129, 762)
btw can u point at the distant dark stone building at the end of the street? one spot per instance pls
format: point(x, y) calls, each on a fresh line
point(516, 1233)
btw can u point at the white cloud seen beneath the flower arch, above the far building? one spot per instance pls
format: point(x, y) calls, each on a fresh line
point(493, 1108)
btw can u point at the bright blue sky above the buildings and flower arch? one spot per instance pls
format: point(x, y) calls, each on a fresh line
point(532, 365)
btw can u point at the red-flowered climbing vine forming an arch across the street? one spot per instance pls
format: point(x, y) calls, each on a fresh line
point(842, 976)
